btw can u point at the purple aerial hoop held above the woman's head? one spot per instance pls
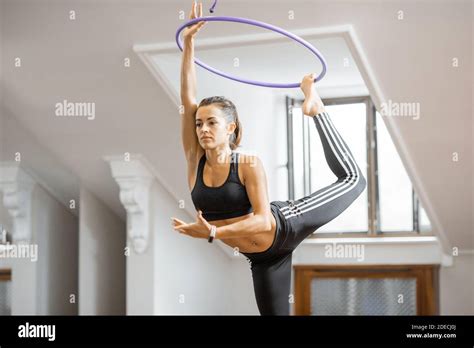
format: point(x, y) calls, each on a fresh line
point(258, 24)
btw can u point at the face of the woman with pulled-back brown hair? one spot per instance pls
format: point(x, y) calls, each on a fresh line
point(212, 129)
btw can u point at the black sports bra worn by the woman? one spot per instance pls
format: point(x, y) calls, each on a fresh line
point(223, 202)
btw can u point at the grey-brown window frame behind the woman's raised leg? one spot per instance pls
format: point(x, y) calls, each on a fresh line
point(373, 206)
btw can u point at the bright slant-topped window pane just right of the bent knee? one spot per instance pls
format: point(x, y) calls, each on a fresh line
point(395, 188)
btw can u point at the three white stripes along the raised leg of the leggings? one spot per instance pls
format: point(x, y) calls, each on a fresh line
point(311, 204)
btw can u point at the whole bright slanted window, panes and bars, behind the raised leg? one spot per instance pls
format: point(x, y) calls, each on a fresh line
point(389, 204)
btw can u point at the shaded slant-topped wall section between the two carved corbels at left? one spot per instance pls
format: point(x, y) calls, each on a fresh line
point(101, 258)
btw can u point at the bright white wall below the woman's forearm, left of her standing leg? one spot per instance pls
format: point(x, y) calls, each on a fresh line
point(191, 276)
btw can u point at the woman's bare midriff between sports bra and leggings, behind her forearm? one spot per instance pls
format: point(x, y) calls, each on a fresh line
point(249, 244)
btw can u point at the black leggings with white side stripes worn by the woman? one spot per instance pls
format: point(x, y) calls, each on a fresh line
point(296, 220)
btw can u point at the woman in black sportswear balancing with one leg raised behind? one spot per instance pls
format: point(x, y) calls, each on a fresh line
point(236, 210)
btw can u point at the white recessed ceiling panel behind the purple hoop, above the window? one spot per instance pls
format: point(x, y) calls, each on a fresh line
point(285, 61)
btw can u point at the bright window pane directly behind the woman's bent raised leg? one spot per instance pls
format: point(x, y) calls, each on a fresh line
point(350, 122)
